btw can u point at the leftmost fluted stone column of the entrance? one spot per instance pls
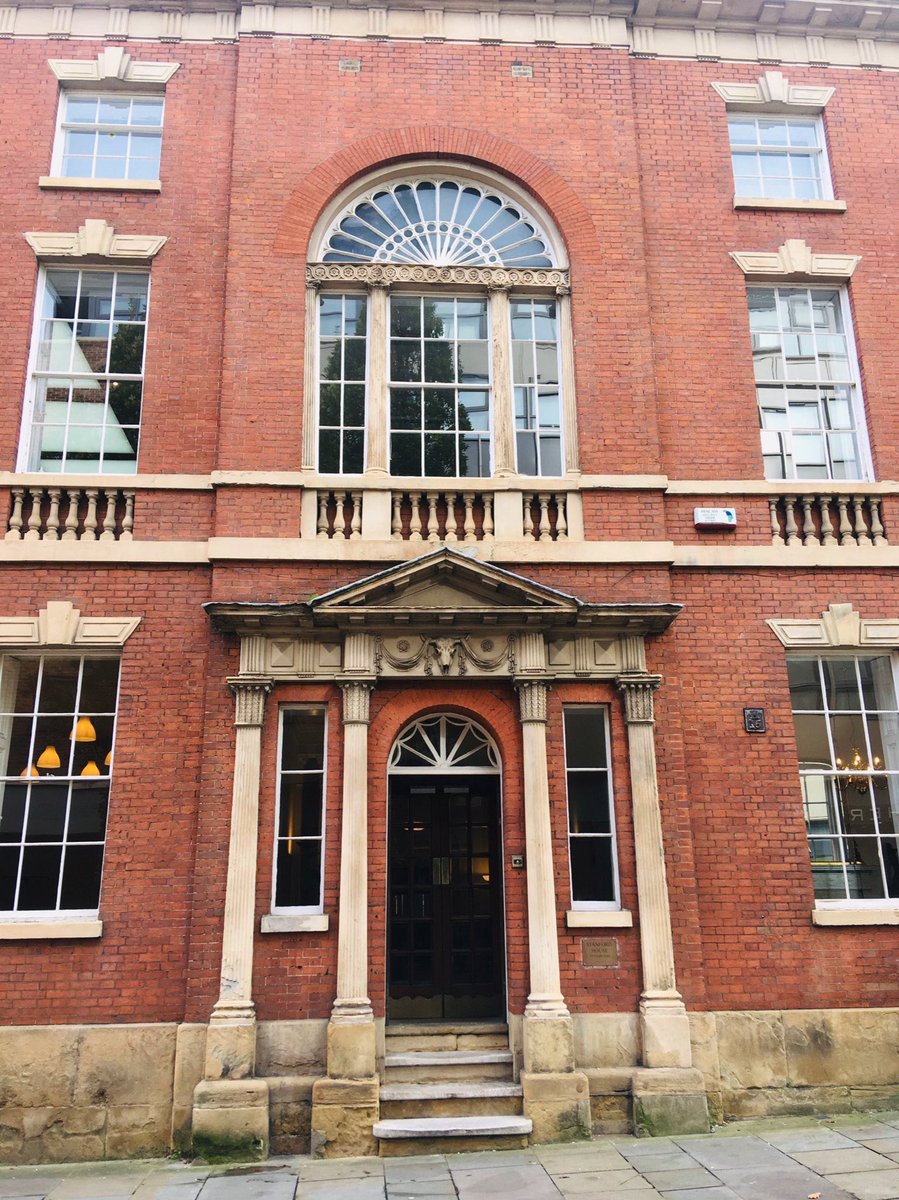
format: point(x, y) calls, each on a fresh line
point(231, 1042)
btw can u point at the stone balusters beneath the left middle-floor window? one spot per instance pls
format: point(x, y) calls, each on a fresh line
point(71, 514)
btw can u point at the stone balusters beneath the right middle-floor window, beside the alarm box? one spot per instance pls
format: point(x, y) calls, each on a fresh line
point(826, 519)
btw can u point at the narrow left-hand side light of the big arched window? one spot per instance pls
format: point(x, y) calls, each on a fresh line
point(343, 340)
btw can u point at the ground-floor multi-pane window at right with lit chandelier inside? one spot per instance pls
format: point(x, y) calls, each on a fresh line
point(848, 741)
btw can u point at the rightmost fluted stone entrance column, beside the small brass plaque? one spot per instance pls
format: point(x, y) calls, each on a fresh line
point(667, 1035)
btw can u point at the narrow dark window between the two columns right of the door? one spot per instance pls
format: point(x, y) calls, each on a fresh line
point(591, 820)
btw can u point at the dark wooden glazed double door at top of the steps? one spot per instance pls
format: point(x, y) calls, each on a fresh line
point(446, 946)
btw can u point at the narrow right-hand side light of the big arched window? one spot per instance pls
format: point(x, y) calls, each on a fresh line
point(536, 379)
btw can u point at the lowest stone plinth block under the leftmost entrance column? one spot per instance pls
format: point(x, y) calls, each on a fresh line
point(231, 1120)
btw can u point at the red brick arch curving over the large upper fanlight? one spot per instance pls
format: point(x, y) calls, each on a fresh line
point(329, 178)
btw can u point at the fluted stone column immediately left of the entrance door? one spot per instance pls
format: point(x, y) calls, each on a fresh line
point(351, 1034)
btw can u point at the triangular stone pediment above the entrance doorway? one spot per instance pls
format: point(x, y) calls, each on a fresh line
point(441, 587)
